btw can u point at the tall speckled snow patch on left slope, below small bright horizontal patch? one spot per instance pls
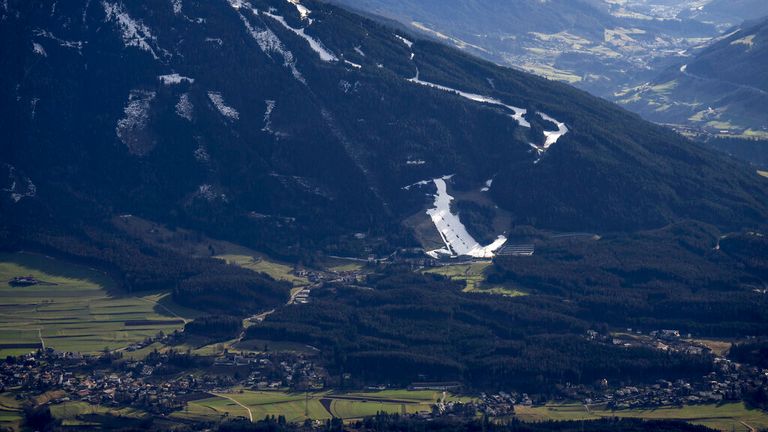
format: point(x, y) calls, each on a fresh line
point(131, 128)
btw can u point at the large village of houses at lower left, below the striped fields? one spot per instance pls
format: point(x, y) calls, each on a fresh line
point(143, 384)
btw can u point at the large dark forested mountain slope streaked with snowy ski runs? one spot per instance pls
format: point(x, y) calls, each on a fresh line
point(294, 127)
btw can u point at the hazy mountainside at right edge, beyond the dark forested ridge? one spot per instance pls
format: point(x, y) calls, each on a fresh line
point(722, 89)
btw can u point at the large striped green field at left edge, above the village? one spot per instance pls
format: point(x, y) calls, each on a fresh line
point(76, 309)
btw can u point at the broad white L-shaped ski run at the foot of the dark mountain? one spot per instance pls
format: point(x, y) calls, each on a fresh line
point(458, 242)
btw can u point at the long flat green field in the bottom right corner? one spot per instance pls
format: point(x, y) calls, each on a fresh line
point(726, 417)
